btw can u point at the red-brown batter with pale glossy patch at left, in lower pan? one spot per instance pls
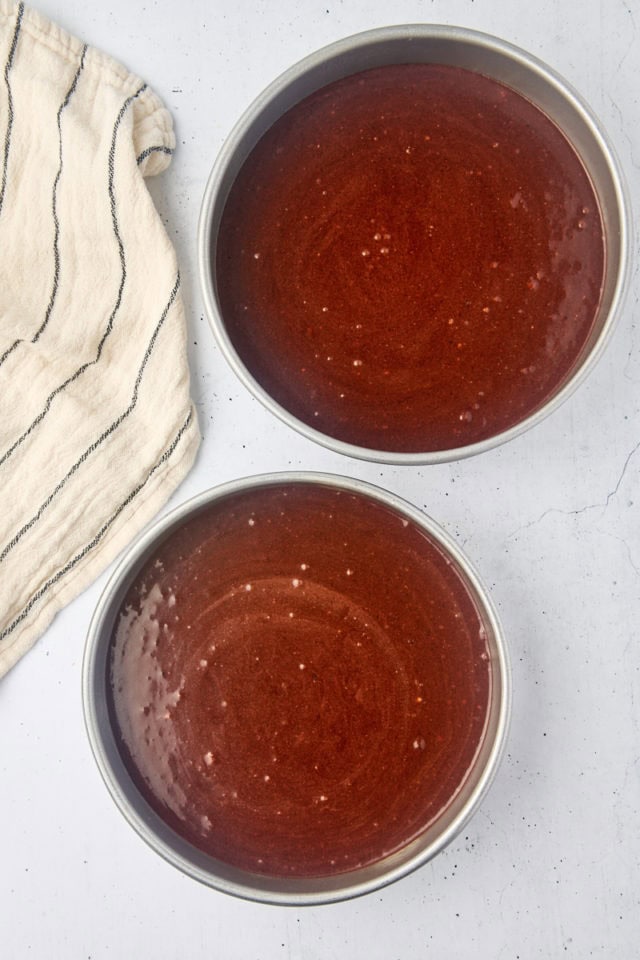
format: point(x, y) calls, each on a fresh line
point(301, 680)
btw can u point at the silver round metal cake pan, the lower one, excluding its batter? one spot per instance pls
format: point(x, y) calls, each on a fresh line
point(208, 870)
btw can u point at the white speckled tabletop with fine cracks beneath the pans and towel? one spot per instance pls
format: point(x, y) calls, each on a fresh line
point(549, 867)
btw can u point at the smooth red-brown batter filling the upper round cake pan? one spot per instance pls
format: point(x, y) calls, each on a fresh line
point(411, 259)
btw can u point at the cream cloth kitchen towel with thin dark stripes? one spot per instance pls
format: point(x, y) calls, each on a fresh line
point(96, 423)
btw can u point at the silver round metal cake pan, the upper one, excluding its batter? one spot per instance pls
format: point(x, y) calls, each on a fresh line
point(453, 46)
